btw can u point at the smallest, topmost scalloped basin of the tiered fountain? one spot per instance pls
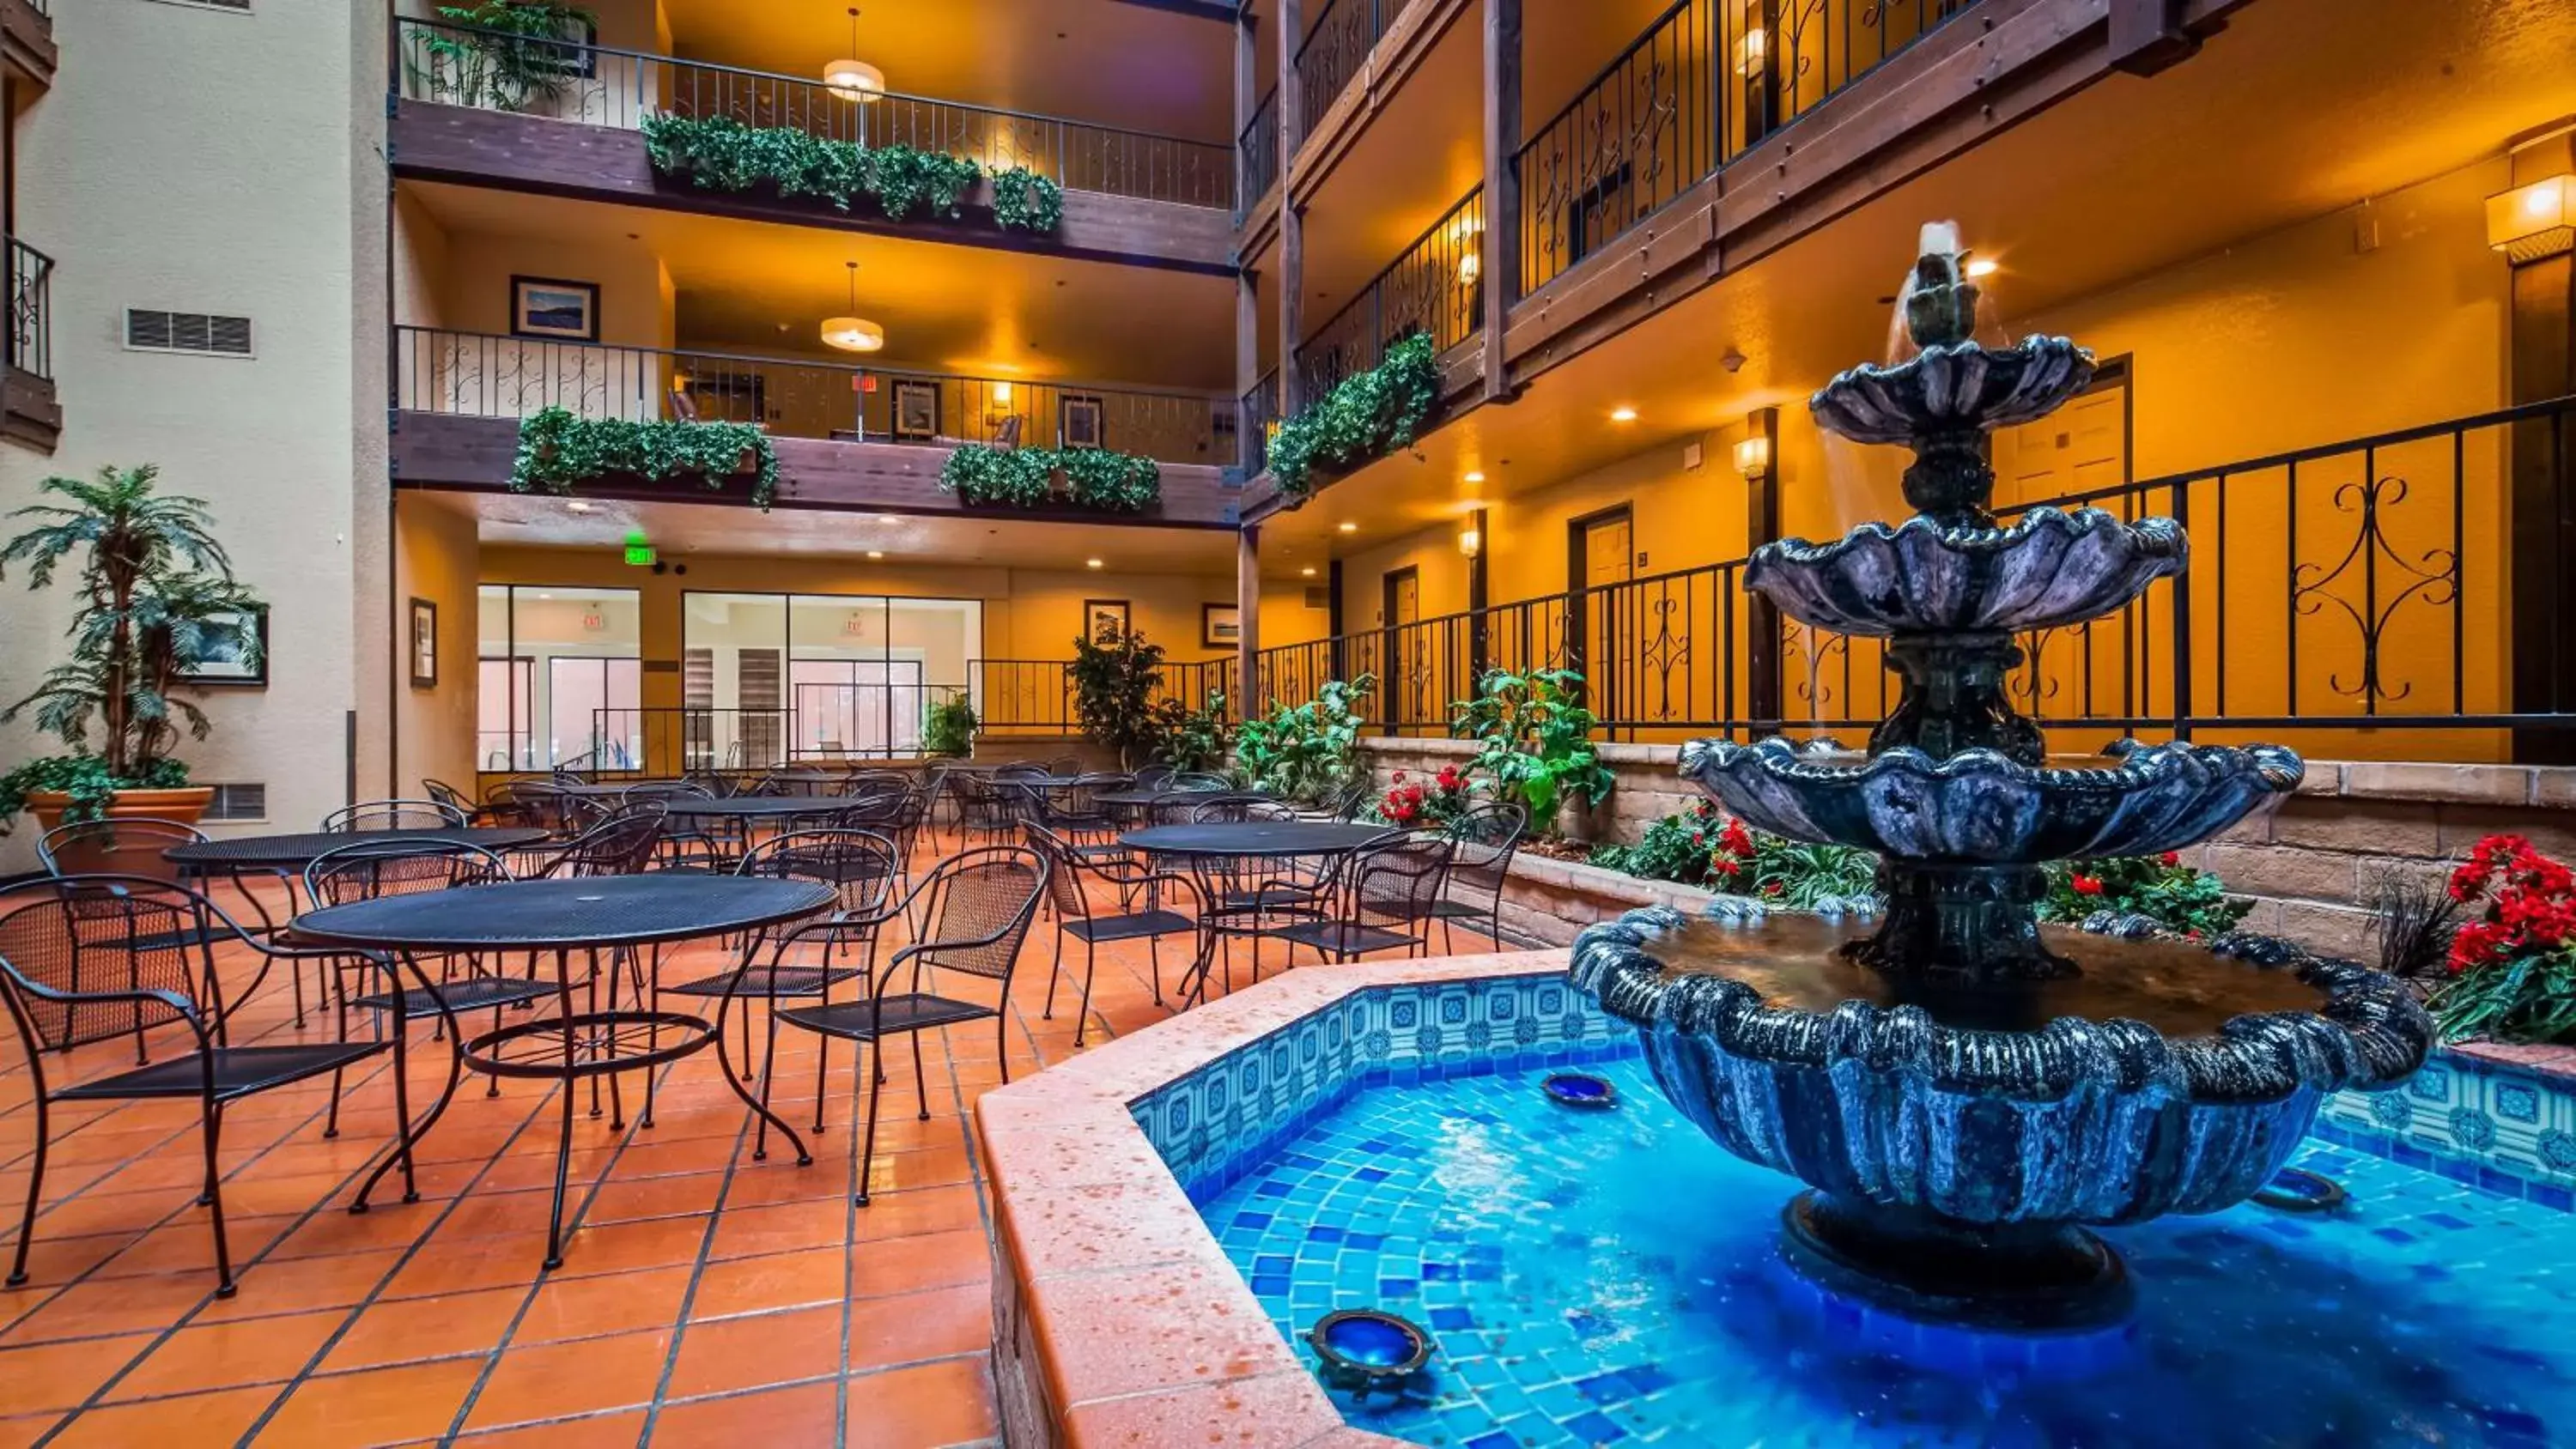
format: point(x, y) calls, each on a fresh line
point(1954, 387)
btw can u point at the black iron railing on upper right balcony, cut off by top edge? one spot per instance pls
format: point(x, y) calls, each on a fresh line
point(1691, 94)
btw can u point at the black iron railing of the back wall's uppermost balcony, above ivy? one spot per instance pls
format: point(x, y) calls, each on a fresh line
point(607, 86)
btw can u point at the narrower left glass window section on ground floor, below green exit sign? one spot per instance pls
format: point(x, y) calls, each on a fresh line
point(555, 665)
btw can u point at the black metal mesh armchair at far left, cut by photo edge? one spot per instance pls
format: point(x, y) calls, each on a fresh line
point(73, 974)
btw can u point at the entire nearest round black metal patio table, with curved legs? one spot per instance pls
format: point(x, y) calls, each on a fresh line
point(583, 915)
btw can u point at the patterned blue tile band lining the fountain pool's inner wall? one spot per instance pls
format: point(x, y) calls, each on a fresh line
point(2482, 1123)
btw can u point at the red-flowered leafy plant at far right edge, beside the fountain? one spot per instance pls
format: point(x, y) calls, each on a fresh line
point(2513, 972)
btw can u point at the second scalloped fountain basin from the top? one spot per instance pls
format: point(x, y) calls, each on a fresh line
point(2047, 570)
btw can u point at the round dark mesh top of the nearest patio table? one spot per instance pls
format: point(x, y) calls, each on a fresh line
point(555, 915)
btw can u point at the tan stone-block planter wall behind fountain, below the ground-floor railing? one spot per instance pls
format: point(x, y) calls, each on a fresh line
point(2309, 866)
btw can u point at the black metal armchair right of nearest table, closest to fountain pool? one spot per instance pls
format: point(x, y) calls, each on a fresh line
point(975, 912)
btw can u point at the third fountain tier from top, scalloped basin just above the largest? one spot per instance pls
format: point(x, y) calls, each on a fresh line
point(1985, 809)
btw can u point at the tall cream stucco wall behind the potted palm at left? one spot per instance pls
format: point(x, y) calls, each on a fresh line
point(133, 176)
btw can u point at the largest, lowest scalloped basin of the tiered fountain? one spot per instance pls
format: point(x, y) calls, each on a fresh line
point(1987, 1123)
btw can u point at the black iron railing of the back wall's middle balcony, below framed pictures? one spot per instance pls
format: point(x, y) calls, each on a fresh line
point(480, 374)
